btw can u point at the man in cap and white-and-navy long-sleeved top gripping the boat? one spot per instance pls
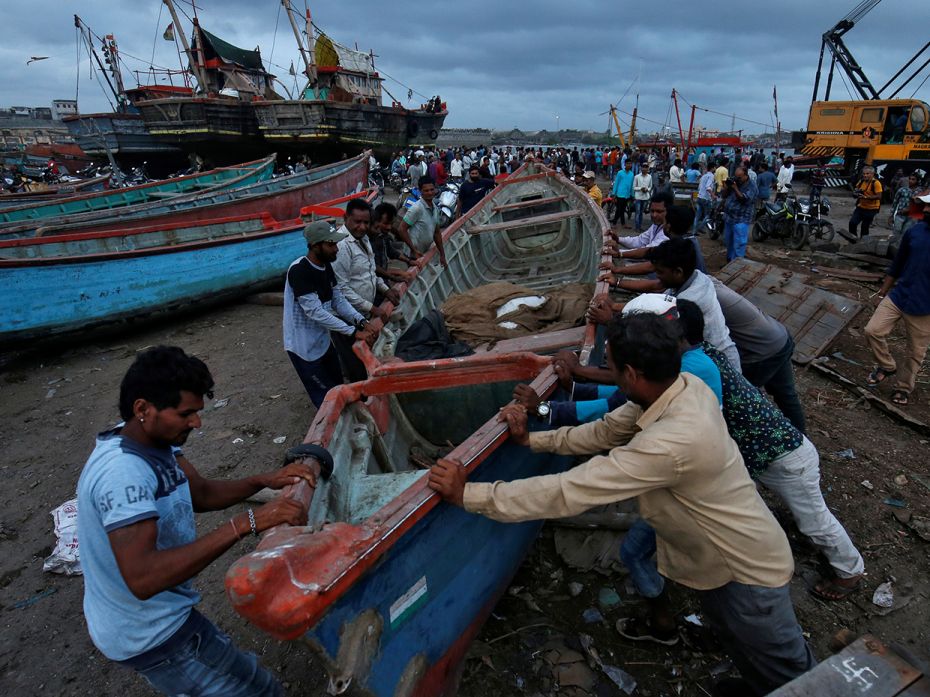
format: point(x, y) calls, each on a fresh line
point(314, 306)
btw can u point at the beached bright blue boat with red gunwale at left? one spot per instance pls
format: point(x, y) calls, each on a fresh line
point(62, 285)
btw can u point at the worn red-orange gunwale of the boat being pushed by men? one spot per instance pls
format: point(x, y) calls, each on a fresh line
point(378, 533)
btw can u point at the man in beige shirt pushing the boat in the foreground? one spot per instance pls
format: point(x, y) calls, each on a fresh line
point(668, 447)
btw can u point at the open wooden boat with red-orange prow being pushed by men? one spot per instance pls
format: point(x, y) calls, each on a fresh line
point(389, 584)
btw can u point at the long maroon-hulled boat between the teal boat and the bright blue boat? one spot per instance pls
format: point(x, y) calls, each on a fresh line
point(282, 198)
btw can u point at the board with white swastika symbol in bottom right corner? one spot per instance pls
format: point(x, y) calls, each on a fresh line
point(865, 667)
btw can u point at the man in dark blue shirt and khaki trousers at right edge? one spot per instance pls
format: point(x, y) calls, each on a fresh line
point(905, 296)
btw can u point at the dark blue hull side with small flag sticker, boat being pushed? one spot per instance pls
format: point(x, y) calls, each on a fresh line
point(435, 587)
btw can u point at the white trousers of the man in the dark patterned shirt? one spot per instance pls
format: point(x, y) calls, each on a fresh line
point(795, 477)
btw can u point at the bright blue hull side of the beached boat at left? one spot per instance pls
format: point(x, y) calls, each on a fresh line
point(42, 300)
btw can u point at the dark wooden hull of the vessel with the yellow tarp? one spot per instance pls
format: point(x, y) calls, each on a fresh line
point(296, 124)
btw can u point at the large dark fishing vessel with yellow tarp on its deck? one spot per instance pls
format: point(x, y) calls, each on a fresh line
point(341, 104)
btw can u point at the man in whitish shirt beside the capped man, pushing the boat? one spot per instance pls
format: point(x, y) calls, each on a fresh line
point(355, 265)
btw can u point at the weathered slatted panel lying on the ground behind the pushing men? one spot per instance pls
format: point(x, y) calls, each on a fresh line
point(813, 316)
